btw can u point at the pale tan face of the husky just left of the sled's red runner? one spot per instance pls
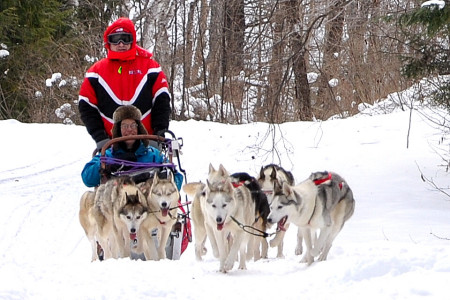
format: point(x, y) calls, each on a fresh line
point(164, 193)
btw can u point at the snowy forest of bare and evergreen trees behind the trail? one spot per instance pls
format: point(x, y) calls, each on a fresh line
point(230, 61)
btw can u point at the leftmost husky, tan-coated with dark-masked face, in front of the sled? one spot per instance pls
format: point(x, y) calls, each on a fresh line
point(102, 216)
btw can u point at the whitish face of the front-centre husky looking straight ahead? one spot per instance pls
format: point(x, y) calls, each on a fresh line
point(219, 202)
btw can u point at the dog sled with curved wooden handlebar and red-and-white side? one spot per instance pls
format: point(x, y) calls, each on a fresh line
point(170, 148)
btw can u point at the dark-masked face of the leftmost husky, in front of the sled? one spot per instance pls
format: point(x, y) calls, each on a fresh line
point(133, 213)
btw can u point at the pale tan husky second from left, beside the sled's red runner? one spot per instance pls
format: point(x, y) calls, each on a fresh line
point(162, 201)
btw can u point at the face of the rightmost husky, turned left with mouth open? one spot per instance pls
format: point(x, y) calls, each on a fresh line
point(283, 205)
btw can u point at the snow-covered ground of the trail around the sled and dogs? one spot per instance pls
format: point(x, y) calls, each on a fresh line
point(396, 245)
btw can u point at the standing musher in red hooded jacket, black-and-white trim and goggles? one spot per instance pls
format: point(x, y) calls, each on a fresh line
point(125, 77)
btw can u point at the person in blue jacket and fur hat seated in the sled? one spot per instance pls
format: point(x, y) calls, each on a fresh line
point(127, 122)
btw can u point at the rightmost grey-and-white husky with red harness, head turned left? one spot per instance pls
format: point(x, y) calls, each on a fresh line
point(306, 206)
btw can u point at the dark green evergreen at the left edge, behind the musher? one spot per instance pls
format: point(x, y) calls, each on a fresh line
point(35, 33)
